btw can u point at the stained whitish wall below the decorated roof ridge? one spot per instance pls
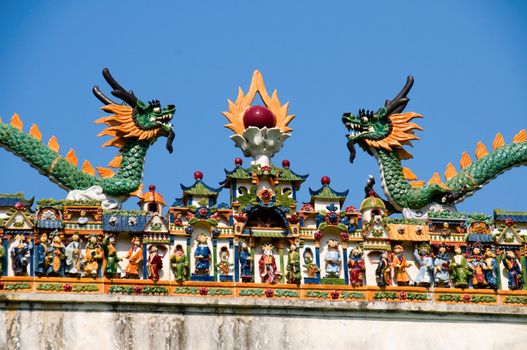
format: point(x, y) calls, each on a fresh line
point(50, 321)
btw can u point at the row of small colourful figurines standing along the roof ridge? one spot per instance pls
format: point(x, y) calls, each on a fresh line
point(53, 258)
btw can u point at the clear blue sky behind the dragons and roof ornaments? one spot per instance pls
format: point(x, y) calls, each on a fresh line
point(325, 58)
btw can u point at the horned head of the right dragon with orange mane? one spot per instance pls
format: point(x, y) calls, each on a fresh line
point(386, 129)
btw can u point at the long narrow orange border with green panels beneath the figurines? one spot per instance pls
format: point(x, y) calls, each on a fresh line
point(27, 284)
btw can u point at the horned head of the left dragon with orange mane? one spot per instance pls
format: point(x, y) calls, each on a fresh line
point(136, 120)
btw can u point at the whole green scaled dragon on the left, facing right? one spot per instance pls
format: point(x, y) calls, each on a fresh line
point(134, 128)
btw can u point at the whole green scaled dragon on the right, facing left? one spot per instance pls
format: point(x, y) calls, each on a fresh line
point(384, 133)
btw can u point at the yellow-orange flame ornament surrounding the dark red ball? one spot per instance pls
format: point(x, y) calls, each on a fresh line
point(244, 101)
